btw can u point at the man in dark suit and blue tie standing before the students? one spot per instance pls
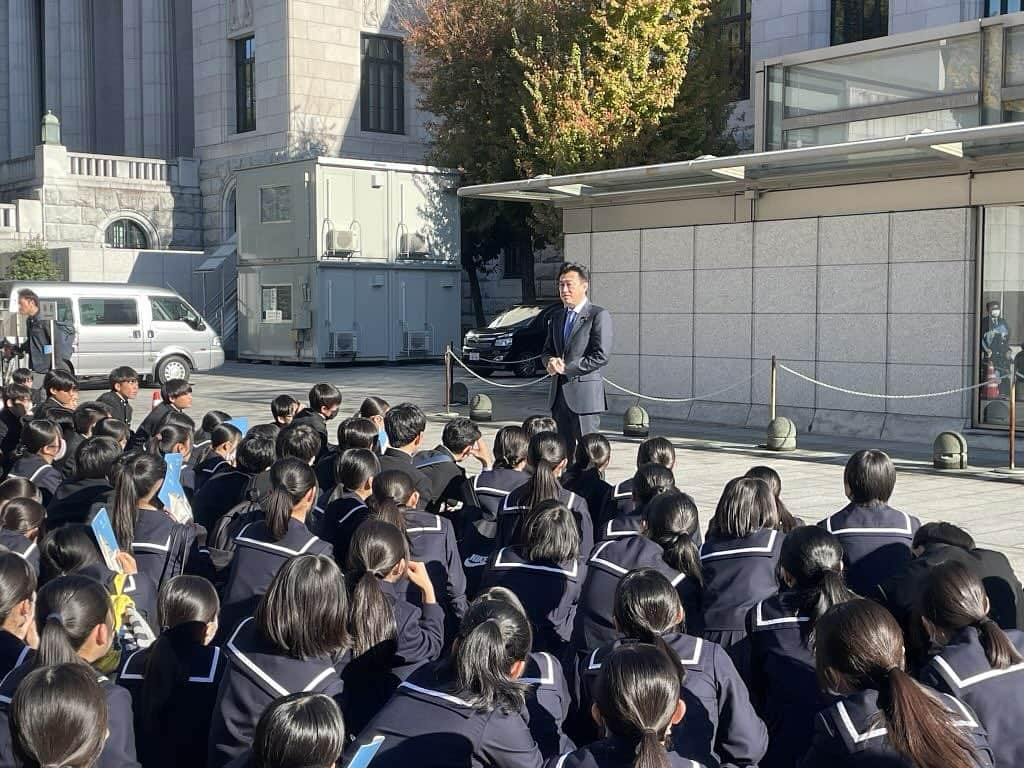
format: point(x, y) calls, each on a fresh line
point(576, 351)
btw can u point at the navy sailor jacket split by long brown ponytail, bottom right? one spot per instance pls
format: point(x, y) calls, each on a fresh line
point(849, 735)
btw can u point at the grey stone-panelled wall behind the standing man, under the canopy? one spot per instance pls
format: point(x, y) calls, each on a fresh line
point(880, 304)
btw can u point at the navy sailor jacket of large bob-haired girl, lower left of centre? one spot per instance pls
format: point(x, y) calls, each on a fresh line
point(257, 675)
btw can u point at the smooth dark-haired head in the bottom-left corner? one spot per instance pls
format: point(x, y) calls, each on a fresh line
point(59, 717)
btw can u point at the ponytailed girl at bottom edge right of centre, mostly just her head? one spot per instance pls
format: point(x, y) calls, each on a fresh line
point(637, 705)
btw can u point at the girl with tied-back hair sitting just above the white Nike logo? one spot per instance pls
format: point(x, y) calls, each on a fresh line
point(480, 531)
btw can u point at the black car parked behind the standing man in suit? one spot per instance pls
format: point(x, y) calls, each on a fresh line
point(513, 343)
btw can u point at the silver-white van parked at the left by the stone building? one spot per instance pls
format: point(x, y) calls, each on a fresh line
point(154, 330)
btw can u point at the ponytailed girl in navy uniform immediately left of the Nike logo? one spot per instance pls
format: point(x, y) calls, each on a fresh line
point(432, 541)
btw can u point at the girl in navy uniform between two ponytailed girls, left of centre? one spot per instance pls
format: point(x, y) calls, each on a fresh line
point(356, 471)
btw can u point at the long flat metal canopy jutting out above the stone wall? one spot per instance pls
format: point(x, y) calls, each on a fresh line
point(936, 152)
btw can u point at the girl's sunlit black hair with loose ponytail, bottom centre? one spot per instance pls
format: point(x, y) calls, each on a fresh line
point(494, 636)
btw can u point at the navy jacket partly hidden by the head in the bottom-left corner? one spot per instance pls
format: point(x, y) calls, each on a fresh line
point(119, 751)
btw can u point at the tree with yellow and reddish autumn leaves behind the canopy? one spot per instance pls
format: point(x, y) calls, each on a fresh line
point(524, 88)
